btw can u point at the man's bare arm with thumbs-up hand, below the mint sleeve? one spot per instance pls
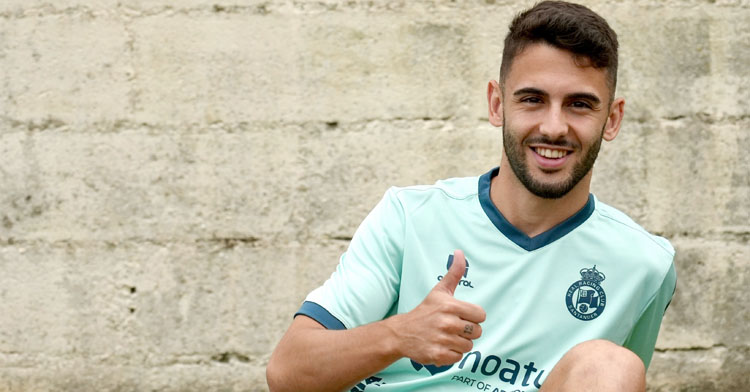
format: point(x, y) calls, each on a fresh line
point(312, 358)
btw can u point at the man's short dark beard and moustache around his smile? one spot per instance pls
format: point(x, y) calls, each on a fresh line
point(514, 150)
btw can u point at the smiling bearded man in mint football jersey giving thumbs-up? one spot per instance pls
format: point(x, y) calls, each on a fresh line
point(517, 280)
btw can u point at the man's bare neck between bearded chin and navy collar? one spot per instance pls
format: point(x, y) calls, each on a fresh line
point(529, 213)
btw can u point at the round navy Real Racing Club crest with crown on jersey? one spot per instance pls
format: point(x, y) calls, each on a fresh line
point(585, 298)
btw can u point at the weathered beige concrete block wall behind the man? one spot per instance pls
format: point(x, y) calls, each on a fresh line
point(176, 176)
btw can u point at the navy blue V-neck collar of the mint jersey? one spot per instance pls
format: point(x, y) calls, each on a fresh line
point(519, 237)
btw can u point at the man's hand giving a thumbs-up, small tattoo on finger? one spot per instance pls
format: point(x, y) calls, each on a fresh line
point(441, 328)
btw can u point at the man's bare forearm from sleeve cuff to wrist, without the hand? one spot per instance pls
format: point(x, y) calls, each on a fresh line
point(312, 358)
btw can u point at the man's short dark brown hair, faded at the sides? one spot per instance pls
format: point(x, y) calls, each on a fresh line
point(567, 26)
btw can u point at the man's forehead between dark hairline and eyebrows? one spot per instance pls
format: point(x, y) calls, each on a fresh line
point(551, 69)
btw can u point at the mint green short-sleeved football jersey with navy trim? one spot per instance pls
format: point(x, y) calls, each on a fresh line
point(597, 275)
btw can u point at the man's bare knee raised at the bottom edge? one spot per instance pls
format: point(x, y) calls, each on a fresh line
point(597, 365)
